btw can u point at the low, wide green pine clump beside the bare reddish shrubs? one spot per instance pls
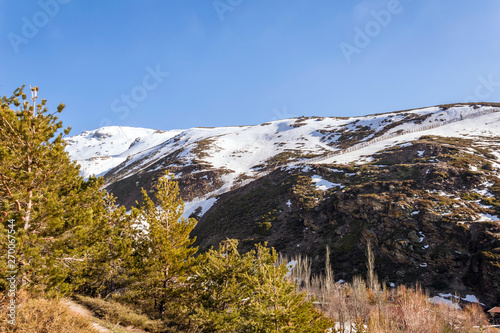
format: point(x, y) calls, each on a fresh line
point(249, 293)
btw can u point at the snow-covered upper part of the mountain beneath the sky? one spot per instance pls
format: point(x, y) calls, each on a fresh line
point(245, 151)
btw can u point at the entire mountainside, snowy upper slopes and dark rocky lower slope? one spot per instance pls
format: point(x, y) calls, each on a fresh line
point(422, 185)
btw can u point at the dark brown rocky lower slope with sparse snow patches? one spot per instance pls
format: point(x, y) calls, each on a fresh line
point(423, 212)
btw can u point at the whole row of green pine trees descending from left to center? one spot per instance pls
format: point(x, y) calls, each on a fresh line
point(70, 238)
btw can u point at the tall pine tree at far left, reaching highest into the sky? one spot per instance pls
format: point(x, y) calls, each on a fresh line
point(41, 190)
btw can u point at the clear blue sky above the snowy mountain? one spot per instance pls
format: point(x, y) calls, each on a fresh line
point(237, 62)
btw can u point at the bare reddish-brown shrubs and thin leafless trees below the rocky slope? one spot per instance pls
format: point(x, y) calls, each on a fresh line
point(369, 306)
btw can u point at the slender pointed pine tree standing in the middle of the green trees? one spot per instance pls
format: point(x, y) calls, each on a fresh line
point(163, 252)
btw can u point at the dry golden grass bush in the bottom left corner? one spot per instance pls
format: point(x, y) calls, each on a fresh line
point(39, 315)
